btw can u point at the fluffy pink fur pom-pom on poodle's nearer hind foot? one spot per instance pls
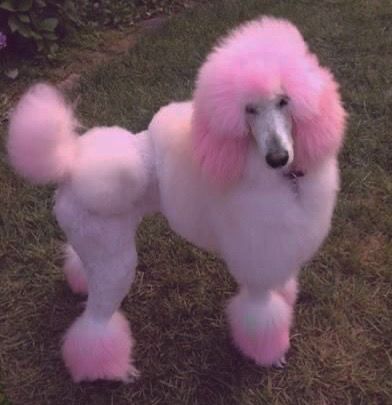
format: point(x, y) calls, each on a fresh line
point(94, 350)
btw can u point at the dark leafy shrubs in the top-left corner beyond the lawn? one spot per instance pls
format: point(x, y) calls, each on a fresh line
point(39, 25)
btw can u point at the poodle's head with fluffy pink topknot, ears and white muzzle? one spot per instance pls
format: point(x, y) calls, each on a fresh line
point(261, 85)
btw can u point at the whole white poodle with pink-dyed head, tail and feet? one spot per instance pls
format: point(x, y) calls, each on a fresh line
point(247, 170)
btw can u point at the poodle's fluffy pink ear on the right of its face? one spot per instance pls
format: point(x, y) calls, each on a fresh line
point(319, 123)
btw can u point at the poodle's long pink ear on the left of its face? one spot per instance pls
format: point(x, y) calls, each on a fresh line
point(219, 132)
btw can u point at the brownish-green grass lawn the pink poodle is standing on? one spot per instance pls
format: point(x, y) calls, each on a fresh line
point(341, 342)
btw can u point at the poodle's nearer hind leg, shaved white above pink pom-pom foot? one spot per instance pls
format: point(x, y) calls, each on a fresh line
point(98, 345)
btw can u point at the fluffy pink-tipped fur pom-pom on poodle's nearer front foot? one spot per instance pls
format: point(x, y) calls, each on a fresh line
point(260, 328)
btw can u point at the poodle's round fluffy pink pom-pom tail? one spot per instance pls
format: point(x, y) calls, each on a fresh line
point(42, 138)
